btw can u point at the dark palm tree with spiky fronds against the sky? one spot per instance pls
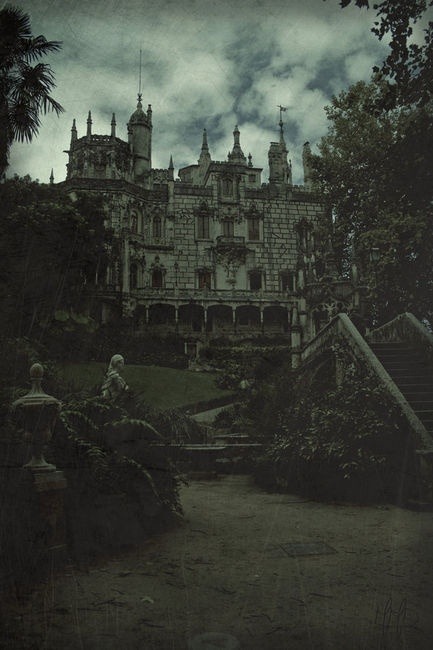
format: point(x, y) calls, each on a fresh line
point(25, 83)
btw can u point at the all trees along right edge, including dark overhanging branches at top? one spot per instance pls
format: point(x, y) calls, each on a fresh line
point(375, 166)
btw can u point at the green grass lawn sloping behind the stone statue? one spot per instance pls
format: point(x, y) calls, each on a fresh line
point(163, 388)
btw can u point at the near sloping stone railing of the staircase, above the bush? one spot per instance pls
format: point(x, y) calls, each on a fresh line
point(343, 326)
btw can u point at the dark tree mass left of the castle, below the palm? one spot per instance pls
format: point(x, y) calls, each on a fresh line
point(51, 250)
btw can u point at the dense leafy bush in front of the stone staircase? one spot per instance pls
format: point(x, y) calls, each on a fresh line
point(328, 441)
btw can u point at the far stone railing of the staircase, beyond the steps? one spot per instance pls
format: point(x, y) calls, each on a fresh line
point(405, 328)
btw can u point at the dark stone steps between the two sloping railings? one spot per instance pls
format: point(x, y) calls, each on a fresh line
point(412, 375)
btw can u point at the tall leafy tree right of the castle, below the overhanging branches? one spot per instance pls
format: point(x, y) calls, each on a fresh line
point(375, 171)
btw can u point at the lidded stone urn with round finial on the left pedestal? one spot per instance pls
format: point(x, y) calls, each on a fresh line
point(37, 413)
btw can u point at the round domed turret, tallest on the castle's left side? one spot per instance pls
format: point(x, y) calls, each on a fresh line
point(140, 139)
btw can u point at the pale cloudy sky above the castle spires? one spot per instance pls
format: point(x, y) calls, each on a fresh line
point(210, 64)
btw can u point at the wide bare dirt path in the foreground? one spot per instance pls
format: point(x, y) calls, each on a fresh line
point(229, 570)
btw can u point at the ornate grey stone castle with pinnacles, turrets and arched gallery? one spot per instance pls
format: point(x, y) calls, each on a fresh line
point(216, 252)
